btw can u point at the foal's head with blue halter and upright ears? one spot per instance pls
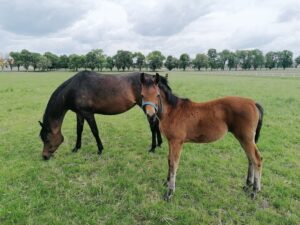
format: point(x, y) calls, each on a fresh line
point(150, 95)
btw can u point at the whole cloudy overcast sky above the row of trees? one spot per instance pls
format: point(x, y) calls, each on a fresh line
point(171, 26)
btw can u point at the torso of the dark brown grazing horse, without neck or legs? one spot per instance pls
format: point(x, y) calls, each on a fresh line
point(102, 93)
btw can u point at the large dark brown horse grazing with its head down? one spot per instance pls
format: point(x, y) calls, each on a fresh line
point(87, 93)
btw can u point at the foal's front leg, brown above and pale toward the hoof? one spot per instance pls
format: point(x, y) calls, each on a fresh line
point(173, 160)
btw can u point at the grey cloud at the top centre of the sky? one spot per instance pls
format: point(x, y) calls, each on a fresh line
point(167, 18)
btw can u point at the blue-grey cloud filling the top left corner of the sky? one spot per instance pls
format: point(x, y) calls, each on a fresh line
point(30, 17)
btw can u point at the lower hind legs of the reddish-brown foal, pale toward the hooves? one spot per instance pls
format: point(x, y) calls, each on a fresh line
point(256, 160)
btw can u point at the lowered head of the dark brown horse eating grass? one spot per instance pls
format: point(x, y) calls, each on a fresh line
point(51, 139)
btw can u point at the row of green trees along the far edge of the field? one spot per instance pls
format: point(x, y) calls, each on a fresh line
point(126, 60)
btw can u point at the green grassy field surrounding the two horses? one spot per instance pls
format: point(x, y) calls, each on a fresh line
point(125, 185)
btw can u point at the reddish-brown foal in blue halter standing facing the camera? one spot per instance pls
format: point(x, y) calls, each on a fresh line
point(182, 120)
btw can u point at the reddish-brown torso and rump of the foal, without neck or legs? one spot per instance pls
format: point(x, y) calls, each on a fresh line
point(209, 121)
